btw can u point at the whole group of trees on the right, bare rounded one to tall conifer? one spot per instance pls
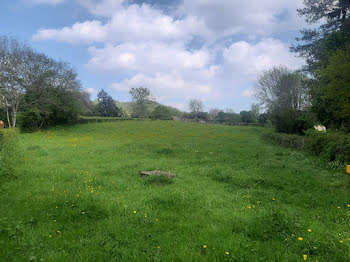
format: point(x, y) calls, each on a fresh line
point(318, 93)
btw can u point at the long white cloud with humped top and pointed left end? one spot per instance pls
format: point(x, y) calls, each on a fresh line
point(133, 23)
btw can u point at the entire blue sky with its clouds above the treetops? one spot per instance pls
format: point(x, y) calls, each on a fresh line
point(181, 49)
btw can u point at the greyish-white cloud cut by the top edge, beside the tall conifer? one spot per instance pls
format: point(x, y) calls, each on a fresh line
point(227, 17)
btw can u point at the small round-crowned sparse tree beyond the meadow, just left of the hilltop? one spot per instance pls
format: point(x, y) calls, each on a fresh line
point(141, 98)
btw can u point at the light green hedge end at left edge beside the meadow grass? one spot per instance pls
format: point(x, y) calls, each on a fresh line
point(11, 158)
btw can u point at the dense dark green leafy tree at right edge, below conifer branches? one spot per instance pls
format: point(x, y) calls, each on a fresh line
point(332, 102)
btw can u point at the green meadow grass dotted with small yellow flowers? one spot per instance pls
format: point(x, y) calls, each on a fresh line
point(80, 197)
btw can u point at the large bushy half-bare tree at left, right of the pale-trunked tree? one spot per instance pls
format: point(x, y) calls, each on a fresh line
point(53, 95)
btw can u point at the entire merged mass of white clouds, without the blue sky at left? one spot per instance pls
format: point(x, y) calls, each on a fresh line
point(154, 49)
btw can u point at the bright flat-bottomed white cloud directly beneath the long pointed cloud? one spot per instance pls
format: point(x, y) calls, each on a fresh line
point(147, 57)
